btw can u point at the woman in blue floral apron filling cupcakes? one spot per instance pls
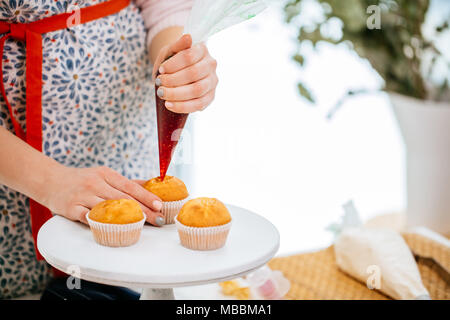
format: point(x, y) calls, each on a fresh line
point(91, 113)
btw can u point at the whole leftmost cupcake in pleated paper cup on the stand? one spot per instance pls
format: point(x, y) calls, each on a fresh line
point(116, 223)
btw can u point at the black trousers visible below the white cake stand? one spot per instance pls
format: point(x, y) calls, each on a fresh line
point(58, 289)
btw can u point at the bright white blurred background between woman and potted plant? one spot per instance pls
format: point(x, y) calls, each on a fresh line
point(260, 145)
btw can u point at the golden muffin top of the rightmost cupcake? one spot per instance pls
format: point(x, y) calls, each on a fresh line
point(204, 212)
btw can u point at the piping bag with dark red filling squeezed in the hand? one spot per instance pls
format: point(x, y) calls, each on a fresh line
point(207, 17)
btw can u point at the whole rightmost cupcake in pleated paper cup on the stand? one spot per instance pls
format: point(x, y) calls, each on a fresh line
point(203, 224)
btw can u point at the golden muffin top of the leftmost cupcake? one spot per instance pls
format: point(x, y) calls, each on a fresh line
point(121, 211)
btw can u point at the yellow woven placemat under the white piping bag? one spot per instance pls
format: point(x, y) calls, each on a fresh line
point(316, 276)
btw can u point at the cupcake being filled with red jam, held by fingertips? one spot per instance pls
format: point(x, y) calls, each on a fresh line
point(173, 193)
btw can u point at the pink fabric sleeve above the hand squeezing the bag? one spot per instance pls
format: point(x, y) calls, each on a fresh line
point(160, 14)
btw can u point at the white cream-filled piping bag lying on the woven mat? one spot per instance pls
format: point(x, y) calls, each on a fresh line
point(378, 257)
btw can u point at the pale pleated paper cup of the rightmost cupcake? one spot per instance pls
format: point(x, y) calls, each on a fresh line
point(203, 238)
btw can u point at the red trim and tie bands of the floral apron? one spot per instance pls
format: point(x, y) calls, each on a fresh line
point(31, 33)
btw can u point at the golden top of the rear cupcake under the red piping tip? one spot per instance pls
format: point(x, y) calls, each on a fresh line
point(169, 189)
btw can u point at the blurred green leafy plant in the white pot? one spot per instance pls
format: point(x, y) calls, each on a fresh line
point(398, 50)
